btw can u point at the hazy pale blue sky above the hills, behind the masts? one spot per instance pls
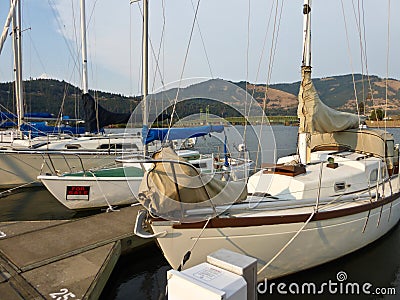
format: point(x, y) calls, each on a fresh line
point(230, 34)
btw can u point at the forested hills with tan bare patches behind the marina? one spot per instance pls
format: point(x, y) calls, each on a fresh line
point(48, 95)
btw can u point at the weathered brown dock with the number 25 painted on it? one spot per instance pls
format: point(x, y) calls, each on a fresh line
point(70, 259)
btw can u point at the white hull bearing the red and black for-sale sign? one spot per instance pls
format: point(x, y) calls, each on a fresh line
point(76, 192)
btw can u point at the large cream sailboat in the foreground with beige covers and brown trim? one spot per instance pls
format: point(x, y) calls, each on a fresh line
point(339, 194)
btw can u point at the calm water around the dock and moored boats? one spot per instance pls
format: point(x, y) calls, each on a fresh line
point(142, 274)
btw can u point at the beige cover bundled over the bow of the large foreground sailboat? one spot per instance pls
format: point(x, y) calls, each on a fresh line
point(176, 191)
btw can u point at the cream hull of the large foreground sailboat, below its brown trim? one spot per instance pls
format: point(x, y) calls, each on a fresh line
point(319, 242)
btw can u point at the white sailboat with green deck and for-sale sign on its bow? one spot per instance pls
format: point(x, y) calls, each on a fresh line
point(119, 185)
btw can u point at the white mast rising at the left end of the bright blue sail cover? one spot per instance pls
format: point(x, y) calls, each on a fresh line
point(145, 64)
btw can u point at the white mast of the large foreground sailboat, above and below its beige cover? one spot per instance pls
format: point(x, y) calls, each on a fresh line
point(304, 137)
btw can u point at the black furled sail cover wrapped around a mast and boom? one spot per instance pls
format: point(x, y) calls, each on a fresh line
point(96, 121)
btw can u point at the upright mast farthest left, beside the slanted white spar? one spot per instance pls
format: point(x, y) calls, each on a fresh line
point(18, 65)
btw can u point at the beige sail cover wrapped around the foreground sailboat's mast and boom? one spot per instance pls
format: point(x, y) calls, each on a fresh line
point(315, 116)
